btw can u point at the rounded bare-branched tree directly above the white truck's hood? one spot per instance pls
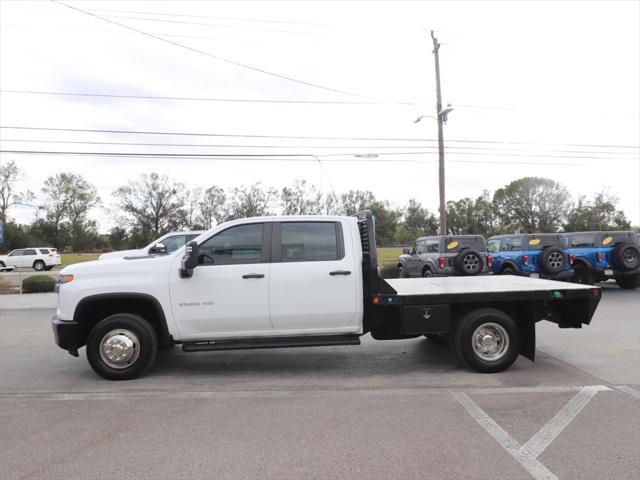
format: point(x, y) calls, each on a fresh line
point(152, 206)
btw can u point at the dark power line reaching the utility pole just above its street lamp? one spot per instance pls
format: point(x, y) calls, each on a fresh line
point(204, 99)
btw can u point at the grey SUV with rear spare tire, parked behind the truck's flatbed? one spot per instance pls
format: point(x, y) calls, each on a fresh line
point(448, 255)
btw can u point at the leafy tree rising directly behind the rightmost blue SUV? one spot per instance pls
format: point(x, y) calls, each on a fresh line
point(600, 213)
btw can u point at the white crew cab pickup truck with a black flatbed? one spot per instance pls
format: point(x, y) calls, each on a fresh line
point(295, 282)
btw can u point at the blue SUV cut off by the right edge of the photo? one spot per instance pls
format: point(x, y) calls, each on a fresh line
point(599, 256)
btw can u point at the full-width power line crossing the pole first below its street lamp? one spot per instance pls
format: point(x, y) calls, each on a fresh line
point(307, 137)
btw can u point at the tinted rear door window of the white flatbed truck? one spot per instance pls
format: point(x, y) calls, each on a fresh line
point(310, 241)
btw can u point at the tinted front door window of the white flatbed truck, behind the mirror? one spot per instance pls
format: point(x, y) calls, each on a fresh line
point(233, 246)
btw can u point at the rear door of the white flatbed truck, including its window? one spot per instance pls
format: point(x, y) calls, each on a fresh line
point(313, 280)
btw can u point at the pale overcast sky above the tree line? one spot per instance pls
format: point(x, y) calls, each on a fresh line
point(548, 89)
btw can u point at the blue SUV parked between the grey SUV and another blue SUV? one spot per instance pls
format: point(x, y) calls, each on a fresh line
point(530, 255)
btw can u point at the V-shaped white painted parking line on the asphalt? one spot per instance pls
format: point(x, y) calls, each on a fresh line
point(528, 453)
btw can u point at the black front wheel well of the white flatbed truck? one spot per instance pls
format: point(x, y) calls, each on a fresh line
point(92, 310)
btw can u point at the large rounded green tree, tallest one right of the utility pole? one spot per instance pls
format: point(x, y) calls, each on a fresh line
point(532, 204)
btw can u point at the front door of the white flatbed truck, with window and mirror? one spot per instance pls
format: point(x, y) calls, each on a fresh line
point(228, 292)
